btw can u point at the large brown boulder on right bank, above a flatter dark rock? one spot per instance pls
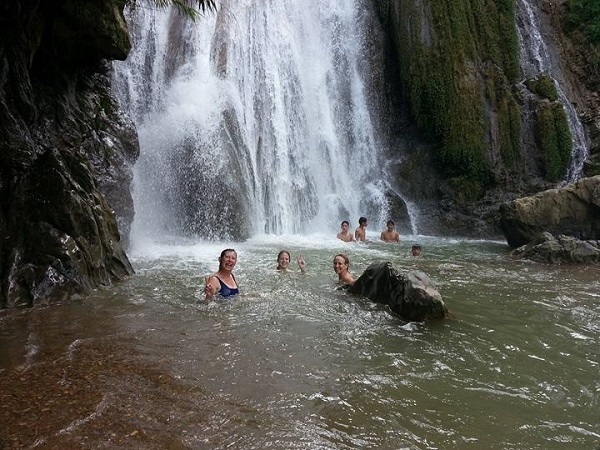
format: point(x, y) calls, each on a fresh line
point(573, 210)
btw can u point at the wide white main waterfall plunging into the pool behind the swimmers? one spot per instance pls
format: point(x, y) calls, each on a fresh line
point(260, 118)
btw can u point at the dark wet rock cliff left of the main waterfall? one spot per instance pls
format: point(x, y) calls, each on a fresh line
point(65, 150)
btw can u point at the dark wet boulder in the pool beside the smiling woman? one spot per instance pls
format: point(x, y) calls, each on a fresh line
point(412, 296)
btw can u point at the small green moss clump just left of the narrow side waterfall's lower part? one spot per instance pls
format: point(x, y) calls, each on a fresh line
point(554, 139)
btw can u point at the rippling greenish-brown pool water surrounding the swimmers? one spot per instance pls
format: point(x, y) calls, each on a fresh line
point(295, 363)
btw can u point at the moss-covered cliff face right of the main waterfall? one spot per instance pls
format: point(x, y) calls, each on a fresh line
point(491, 135)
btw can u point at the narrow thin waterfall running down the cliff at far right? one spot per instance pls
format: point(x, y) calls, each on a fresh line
point(537, 58)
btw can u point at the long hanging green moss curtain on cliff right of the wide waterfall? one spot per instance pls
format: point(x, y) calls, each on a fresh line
point(457, 62)
